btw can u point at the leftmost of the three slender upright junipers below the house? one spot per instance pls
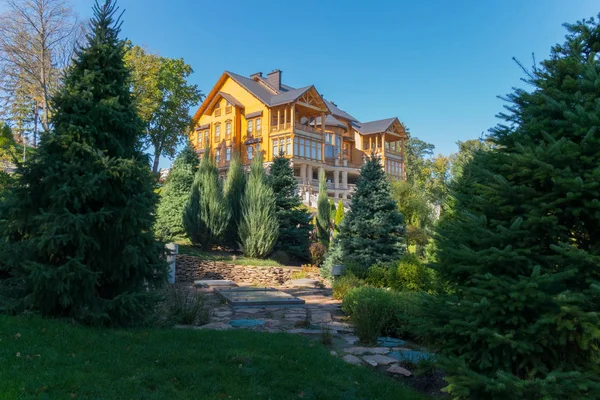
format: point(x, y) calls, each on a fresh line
point(206, 215)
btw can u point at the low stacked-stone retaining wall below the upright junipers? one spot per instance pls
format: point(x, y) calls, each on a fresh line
point(189, 269)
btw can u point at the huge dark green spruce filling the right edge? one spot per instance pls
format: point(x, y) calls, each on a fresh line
point(521, 251)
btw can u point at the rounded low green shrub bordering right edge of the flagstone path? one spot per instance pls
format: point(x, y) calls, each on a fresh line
point(371, 310)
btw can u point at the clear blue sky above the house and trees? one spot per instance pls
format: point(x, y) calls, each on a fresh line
point(437, 65)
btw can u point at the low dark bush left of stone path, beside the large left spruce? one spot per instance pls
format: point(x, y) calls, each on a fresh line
point(187, 306)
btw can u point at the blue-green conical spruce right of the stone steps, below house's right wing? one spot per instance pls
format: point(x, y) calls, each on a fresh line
point(373, 230)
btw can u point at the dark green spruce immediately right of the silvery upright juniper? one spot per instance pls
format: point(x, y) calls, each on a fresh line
point(294, 222)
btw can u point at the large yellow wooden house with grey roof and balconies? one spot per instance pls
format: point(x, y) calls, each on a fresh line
point(248, 115)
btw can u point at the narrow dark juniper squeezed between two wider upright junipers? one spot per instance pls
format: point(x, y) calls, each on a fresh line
point(235, 187)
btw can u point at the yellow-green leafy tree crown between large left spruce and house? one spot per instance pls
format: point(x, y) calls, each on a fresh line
point(163, 98)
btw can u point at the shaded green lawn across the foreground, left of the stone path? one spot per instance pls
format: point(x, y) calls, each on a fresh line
point(49, 359)
